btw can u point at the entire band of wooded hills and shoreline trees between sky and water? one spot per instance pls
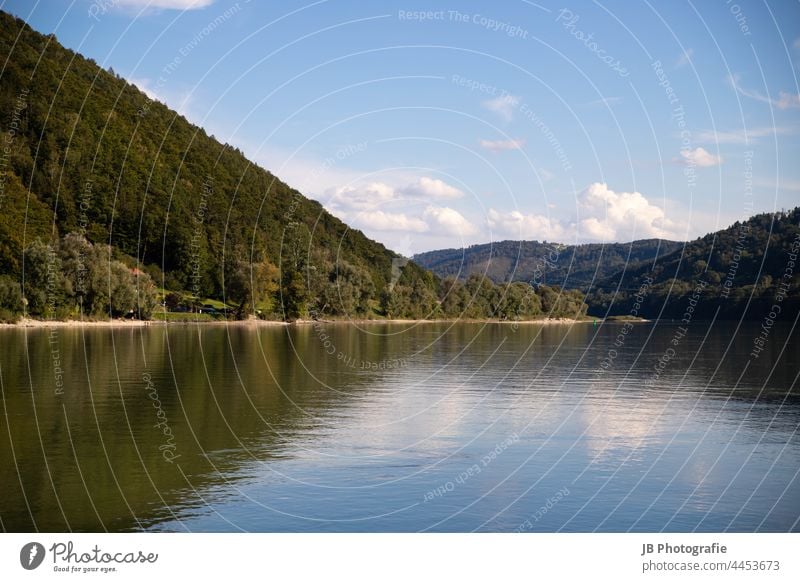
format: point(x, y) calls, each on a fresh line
point(110, 202)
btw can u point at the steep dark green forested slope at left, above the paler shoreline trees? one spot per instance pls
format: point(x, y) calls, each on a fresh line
point(100, 158)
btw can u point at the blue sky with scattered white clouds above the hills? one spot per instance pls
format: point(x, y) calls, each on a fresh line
point(442, 124)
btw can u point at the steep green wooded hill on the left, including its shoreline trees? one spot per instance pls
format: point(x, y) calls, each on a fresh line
point(104, 191)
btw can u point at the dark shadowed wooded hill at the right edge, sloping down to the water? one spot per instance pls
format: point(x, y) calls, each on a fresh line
point(742, 271)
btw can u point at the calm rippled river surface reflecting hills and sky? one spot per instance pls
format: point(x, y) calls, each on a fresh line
point(390, 427)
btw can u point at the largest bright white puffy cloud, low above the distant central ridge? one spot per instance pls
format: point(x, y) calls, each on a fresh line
point(602, 215)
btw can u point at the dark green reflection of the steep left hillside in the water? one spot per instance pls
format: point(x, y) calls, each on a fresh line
point(230, 396)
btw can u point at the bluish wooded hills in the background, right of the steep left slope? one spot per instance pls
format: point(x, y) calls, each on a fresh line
point(742, 270)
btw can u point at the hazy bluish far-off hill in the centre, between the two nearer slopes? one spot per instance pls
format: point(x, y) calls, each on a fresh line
point(570, 266)
